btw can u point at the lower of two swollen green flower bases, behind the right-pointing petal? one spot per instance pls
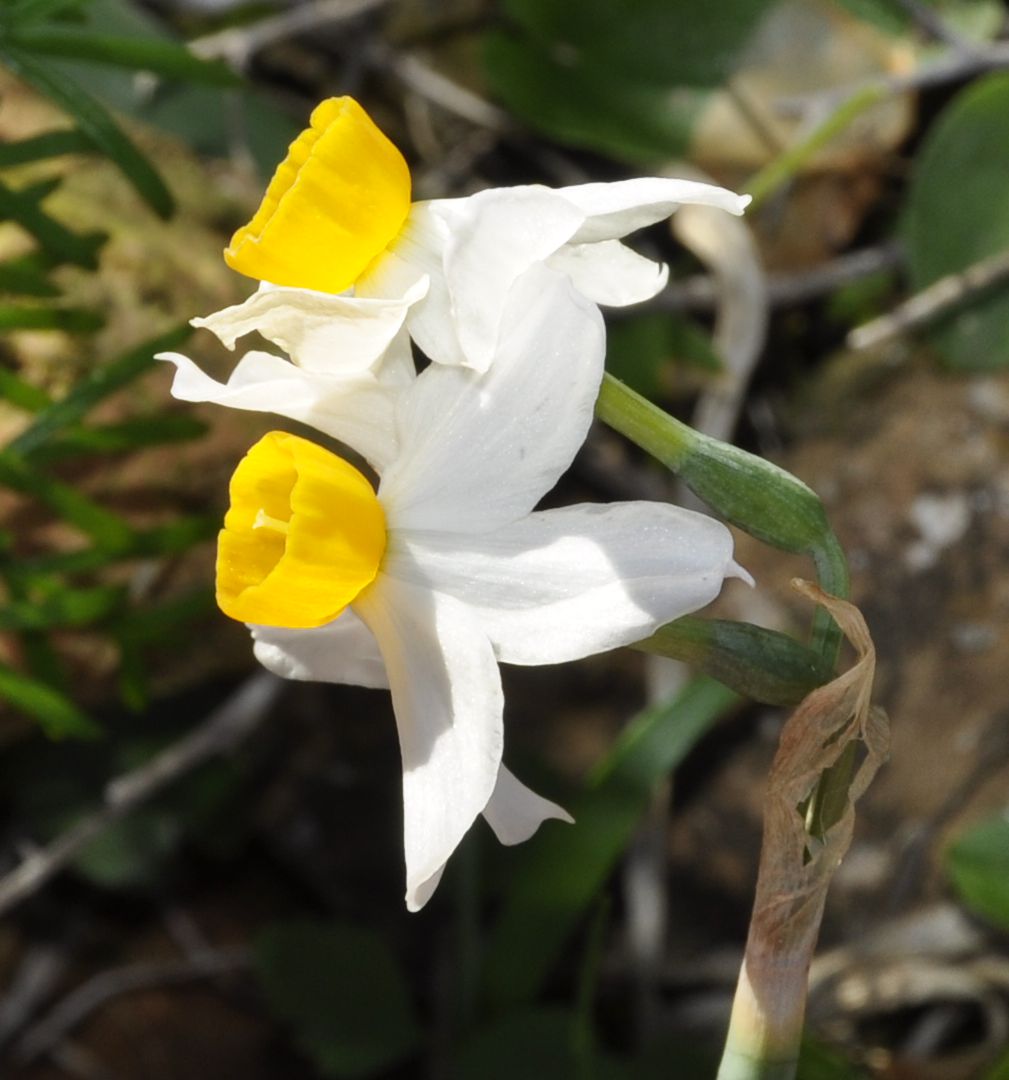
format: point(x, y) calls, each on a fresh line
point(763, 665)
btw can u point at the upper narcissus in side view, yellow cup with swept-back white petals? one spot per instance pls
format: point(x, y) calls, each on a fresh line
point(338, 217)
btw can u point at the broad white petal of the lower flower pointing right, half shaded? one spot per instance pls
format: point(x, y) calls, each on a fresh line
point(568, 584)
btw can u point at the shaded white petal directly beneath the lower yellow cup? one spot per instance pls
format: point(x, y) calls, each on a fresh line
point(343, 652)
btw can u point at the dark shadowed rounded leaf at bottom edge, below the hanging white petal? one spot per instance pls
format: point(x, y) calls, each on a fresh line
point(342, 993)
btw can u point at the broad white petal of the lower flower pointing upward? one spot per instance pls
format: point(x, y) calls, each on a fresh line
point(478, 452)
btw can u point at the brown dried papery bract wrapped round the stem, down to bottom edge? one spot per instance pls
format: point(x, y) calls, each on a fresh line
point(796, 867)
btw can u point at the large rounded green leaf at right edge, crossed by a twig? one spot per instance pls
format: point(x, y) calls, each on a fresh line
point(958, 214)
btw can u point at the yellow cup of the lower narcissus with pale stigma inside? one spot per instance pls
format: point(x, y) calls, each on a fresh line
point(304, 536)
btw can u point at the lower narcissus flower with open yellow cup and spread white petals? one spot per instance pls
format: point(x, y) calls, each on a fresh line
point(427, 584)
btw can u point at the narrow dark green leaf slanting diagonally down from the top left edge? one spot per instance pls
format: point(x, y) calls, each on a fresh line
point(96, 123)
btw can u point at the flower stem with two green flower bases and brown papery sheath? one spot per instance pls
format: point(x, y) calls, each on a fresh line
point(814, 782)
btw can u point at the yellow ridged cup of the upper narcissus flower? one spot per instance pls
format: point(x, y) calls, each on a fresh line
point(335, 204)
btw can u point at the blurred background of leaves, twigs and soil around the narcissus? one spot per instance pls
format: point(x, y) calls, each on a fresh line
point(201, 870)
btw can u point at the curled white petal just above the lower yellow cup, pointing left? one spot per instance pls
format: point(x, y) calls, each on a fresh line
point(358, 411)
